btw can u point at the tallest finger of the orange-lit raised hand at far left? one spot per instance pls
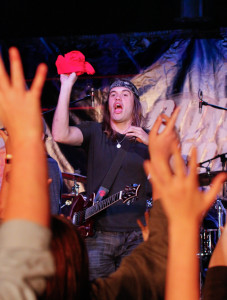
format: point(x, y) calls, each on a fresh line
point(16, 69)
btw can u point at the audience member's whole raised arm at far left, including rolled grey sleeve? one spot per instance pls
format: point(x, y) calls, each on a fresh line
point(25, 258)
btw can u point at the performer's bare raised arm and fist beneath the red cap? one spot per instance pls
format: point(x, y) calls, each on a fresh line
point(61, 131)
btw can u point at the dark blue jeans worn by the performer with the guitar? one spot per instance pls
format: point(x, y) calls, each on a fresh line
point(106, 250)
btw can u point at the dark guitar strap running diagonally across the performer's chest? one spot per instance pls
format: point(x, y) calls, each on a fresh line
point(112, 173)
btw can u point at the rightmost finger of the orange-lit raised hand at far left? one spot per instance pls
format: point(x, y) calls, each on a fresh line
point(39, 80)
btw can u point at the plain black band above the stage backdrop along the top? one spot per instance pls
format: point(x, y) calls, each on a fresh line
point(52, 18)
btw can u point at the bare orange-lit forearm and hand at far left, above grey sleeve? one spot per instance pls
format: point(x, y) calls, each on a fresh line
point(21, 115)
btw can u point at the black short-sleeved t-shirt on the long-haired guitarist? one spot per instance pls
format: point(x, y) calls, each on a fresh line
point(101, 151)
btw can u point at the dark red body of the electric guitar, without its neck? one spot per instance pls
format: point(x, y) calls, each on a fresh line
point(77, 212)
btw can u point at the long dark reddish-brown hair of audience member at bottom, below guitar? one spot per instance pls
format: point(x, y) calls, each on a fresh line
point(71, 279)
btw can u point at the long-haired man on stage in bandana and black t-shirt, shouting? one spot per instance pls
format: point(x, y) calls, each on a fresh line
point(116, 230)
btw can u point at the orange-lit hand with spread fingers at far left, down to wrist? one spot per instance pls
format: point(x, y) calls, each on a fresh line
point(20, 108)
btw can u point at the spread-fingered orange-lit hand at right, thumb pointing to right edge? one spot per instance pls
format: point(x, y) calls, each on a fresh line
point(179, 191)
